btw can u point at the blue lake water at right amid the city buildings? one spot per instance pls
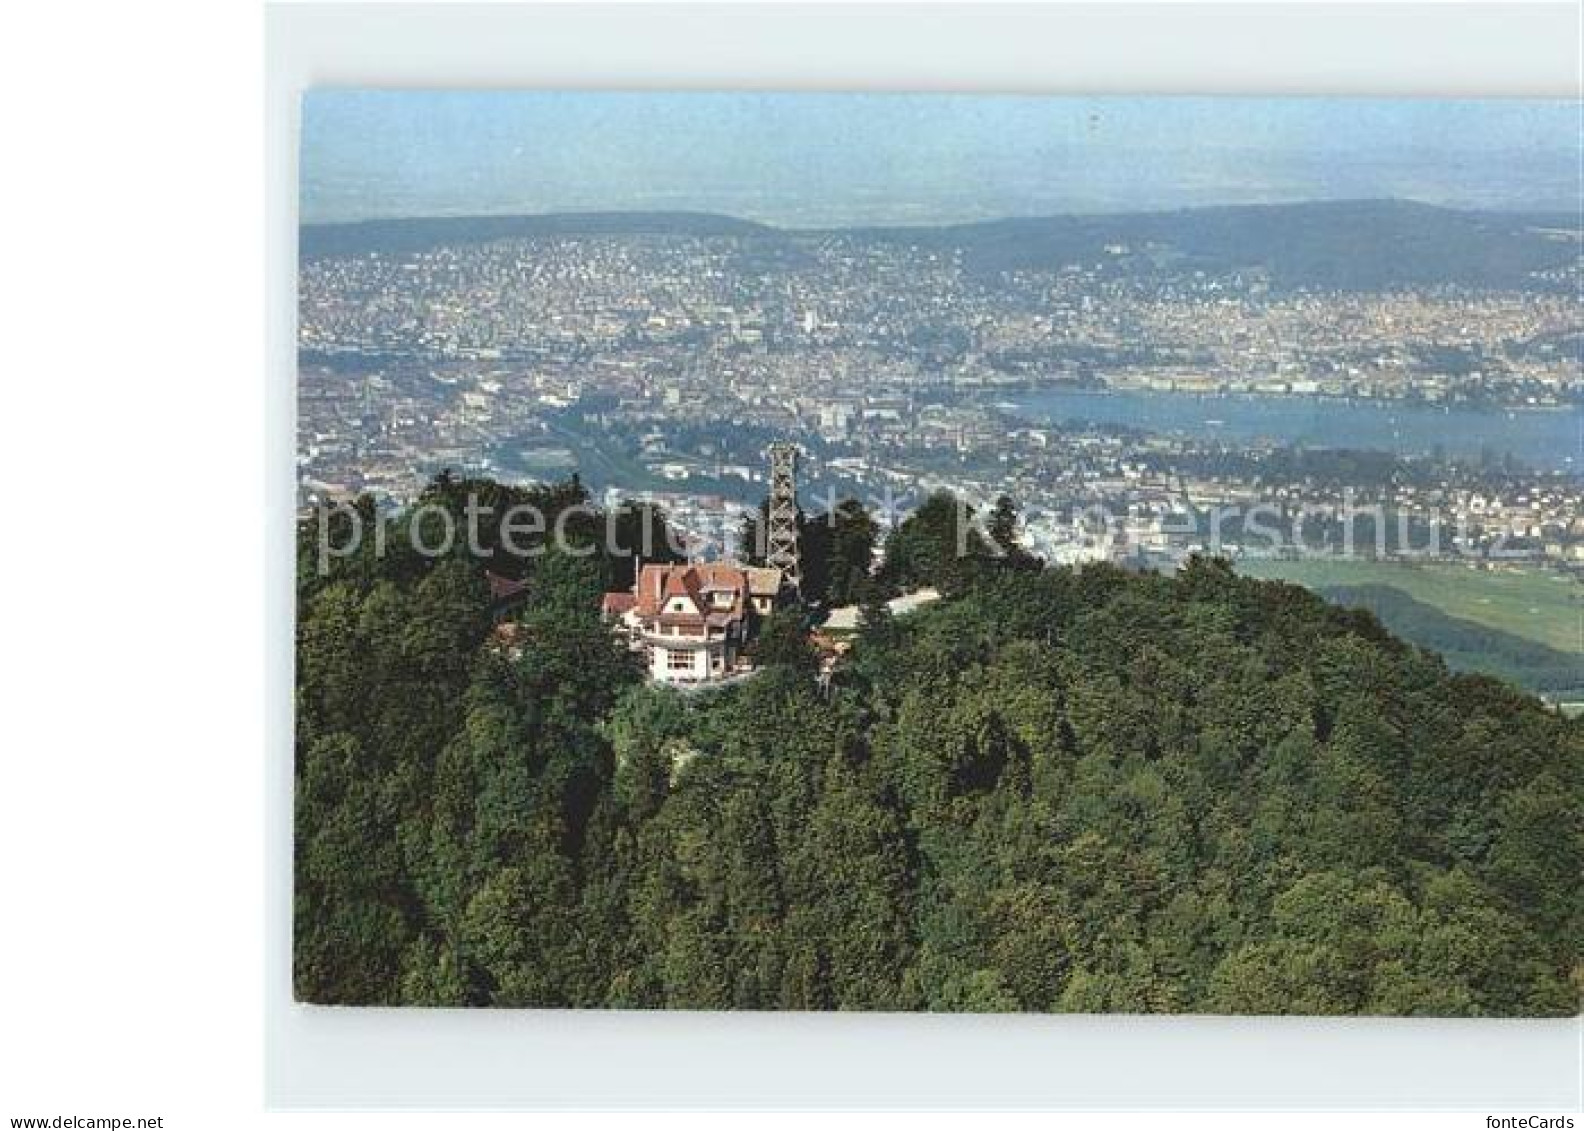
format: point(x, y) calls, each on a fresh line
point(1540, 438)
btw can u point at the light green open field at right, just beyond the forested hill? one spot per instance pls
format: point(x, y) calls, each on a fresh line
point(1539, 604)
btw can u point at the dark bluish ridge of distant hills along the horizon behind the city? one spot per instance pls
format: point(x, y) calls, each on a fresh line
point(1323, 246)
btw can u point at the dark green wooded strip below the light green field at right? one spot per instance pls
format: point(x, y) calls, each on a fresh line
point(1466, 645)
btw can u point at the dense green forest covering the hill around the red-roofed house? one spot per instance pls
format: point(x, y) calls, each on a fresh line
point(1054, 790)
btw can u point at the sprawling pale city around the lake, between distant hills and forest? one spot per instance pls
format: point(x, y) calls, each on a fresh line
point(660, 362)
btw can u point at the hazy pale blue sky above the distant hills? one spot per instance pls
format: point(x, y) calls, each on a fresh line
point(916, 159)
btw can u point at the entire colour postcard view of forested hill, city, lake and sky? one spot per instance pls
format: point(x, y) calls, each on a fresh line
point(956, 554)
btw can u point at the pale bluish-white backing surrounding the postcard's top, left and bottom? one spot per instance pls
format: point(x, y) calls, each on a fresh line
point(527, 1059)
